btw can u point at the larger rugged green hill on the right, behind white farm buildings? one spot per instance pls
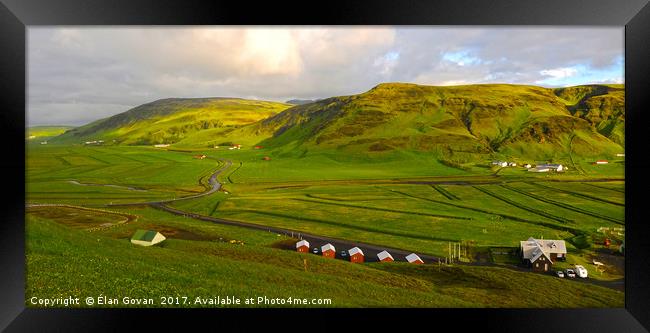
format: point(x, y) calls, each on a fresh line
point(455, 121)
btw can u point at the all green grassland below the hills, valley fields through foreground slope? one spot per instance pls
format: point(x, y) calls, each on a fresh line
point(414, 209)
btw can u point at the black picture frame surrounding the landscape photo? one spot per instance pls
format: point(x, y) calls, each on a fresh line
point(17, 15)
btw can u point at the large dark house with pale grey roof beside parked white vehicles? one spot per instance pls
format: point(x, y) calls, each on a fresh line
point(539, 254)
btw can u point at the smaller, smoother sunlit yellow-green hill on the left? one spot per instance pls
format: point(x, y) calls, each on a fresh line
point(171, 120)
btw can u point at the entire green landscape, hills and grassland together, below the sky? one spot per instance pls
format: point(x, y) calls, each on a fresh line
point(401, 166)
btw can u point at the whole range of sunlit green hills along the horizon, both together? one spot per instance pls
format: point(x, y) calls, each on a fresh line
point(455, 123)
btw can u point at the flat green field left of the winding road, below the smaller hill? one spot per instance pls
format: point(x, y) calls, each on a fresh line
point(102, 175)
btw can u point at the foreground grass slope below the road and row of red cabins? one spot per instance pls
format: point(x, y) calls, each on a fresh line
point(199, 260)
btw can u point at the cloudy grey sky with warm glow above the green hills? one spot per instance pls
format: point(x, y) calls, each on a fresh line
point(80, 74)
